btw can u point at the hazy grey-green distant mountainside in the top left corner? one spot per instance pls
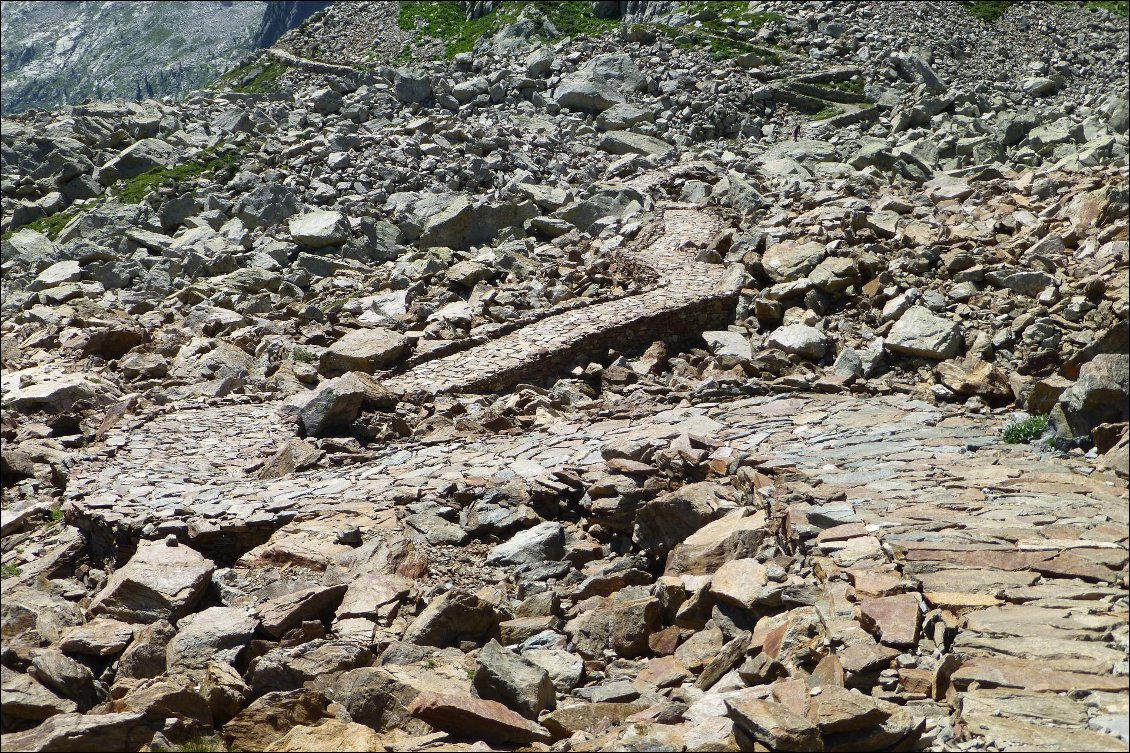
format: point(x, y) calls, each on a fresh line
point(60, 54)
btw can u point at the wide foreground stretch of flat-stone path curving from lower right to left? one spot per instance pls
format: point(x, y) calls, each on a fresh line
point(1020, 561)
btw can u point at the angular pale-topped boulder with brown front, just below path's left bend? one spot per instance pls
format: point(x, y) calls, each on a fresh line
point(163, 581)
